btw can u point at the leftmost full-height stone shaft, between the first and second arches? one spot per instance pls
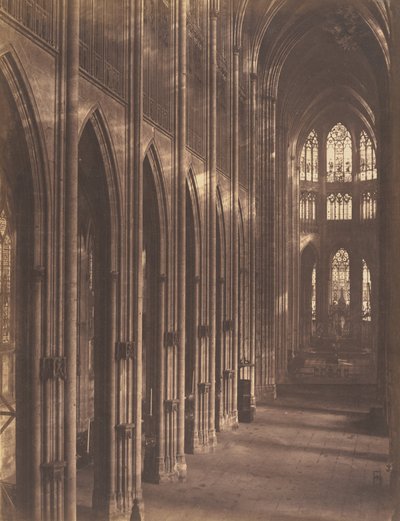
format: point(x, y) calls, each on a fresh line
point(71, 244)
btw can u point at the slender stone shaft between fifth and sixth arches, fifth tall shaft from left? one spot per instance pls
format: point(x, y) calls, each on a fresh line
point(235, 224)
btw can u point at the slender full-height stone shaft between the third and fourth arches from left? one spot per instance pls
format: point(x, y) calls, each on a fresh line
point(181, 181)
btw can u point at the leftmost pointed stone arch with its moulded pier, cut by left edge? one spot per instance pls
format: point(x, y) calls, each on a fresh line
point(27, 175)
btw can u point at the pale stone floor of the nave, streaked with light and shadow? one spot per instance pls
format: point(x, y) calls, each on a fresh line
point(309, 456)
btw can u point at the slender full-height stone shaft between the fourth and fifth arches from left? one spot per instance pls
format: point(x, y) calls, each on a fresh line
point(212, 214)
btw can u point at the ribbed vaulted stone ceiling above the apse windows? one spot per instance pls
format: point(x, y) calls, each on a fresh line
point(318, 58)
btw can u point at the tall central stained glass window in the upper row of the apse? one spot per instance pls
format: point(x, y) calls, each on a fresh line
point(339, 155)
